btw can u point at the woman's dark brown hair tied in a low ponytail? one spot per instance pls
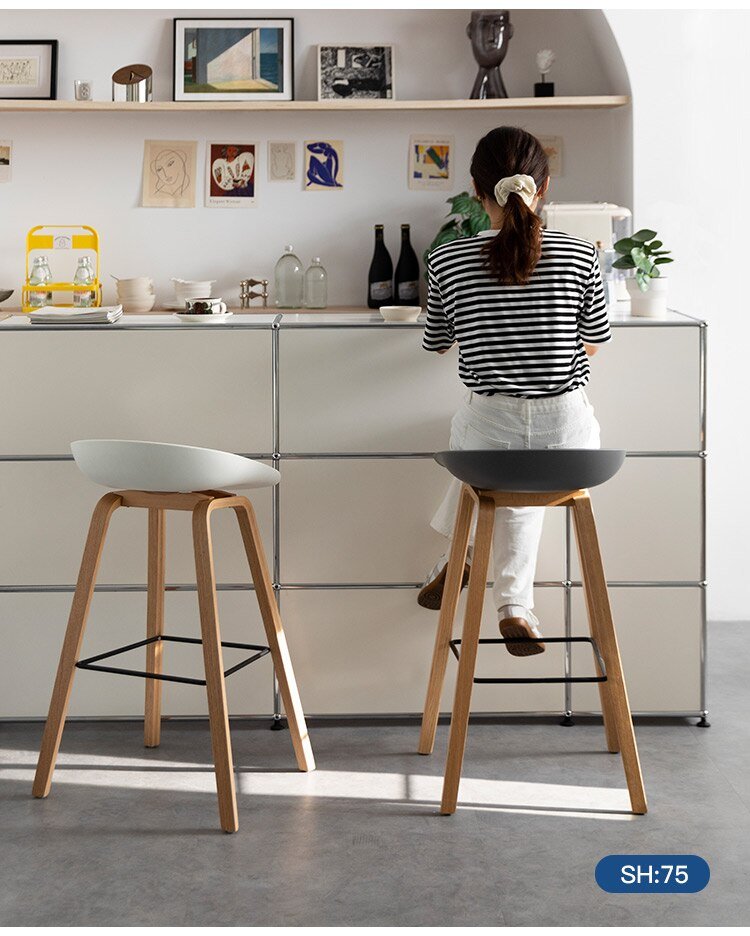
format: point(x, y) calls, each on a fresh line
point(514, 252)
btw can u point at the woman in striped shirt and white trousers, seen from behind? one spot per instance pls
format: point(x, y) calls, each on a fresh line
point(526, 307)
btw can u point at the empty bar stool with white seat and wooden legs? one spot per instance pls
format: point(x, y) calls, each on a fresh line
point(160, 477)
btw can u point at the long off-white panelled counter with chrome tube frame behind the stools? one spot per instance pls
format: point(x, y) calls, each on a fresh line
point(350, 409)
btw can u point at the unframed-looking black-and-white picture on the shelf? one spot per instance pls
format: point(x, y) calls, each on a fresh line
point(355, 71)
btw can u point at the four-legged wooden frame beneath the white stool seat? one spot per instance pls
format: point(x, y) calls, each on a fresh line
point(202, 504)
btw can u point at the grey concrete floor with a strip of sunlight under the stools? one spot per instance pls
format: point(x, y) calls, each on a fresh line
point(130, 837)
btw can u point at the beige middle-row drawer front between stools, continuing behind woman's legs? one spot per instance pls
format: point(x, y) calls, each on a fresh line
point(363, 520)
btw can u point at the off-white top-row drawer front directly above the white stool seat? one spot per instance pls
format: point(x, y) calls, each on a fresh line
point(212, 390)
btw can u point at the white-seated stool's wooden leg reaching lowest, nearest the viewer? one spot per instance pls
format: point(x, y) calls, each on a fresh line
point(212, 658)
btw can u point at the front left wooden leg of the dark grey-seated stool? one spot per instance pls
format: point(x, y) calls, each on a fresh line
point(467, 662)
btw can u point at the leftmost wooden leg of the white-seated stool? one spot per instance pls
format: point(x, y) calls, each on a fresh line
point(72, 644)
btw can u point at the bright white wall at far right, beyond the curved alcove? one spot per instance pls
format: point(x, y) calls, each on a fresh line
point(691, 132)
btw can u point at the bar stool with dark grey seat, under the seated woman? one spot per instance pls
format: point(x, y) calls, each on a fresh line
point(526, 478)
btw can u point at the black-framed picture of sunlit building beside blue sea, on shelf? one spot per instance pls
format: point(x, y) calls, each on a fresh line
point(227, 59)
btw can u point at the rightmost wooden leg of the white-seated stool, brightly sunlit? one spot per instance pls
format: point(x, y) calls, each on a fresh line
point(282, 660)
